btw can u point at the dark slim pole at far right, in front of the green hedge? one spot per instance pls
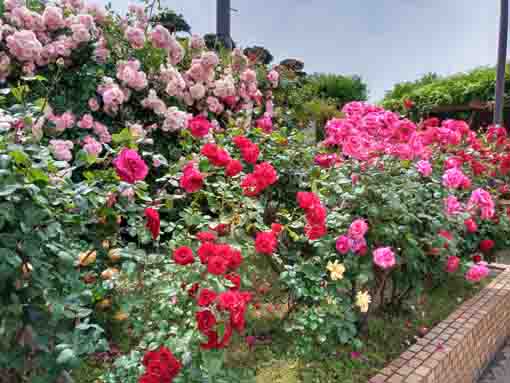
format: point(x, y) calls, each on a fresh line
point(501, 69)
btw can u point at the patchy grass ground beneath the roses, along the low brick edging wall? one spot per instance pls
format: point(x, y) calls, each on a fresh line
point(389, 335)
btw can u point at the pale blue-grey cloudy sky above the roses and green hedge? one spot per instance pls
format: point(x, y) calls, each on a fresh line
point(383, 41)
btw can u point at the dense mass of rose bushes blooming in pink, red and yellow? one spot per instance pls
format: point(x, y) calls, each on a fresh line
point(161, 178)
